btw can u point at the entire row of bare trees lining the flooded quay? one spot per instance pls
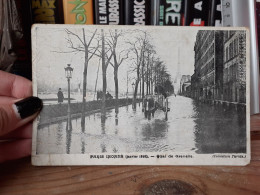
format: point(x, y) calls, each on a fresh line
point(146, 69)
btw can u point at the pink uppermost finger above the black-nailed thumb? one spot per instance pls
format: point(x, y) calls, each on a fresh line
point(14, 86)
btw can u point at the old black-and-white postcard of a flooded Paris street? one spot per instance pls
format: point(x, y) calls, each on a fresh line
point(141, 95)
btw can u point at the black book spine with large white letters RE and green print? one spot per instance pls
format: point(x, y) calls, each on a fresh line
point(171, 13)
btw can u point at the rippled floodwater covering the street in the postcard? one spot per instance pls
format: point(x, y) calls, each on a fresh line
point(191, 127)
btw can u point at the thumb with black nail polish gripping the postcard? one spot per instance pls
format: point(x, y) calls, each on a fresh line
point(18, 114)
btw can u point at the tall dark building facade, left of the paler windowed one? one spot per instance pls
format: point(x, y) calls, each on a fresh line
point(207, 80)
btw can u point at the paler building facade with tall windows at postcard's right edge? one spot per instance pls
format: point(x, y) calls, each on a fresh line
point(234, 66)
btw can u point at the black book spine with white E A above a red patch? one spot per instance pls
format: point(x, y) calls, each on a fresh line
point(196, 12)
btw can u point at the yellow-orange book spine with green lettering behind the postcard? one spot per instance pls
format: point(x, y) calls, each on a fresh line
point(78, 11)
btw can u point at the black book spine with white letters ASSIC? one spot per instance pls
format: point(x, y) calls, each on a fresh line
point(137, 12)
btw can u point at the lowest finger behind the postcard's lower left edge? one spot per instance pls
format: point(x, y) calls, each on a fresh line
point(15, 149)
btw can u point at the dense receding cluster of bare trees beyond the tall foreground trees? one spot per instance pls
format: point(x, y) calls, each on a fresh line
point(149, 69)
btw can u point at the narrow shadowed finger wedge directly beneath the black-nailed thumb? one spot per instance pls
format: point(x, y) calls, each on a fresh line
point(24, 132)
